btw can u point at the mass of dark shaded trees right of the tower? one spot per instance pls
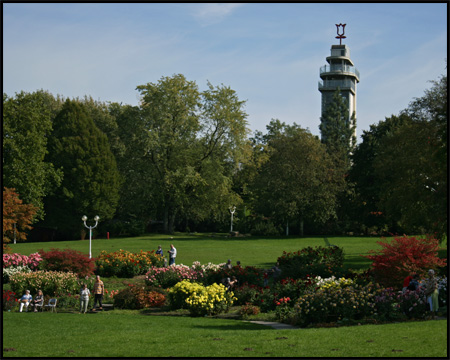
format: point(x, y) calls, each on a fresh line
point(400, 169)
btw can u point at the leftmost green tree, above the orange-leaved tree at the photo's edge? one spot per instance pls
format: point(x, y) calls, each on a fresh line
point(27, 126)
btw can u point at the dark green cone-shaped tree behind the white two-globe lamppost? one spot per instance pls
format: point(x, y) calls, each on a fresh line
point(91, 181)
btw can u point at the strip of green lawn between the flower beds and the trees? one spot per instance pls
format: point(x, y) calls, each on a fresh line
point(255, 251)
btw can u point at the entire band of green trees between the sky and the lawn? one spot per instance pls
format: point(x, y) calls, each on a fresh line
point(182, 157)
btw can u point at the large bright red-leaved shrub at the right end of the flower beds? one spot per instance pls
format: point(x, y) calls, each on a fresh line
point(402, 257)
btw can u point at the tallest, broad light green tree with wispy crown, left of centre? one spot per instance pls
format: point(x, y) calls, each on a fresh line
point(189, 133)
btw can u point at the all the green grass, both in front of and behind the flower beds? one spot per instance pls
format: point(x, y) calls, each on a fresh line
point(122, 333)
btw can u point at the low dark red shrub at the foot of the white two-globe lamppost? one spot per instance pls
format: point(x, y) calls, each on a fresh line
point(68, 260)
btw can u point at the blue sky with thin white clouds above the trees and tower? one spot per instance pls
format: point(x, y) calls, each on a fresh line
point(270, 54)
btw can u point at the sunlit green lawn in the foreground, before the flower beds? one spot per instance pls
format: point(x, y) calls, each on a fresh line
point(129, 334)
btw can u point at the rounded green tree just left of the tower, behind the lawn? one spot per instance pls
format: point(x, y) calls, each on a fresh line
point(298, 181)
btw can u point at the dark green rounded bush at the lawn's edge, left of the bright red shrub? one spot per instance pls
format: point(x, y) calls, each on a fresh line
point(318, 261)
